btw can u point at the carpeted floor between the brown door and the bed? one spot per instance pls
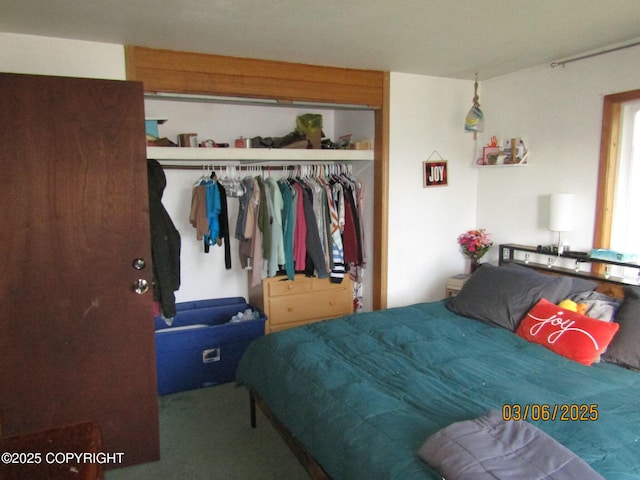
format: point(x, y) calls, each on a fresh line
point(205, 434)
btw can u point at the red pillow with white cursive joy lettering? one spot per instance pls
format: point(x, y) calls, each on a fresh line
point(567, 333)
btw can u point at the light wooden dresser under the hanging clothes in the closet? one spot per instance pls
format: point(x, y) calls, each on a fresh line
point(290, 303)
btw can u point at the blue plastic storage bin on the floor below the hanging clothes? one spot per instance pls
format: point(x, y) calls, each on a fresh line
point(200, 348)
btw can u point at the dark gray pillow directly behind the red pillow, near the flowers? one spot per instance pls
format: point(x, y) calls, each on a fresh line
point(502, 296)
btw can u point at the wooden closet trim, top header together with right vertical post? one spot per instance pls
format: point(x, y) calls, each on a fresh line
point(196, 73)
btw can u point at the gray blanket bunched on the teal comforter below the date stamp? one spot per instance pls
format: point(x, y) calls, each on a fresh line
point(489, 448)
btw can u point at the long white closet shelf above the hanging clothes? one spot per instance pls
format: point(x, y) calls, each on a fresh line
point(258, 154)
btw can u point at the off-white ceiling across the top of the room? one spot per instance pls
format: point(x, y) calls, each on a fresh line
point(454, 38)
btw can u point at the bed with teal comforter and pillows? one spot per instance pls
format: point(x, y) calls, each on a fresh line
point(361, 394)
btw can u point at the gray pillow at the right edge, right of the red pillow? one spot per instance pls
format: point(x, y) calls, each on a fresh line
point(625, 346)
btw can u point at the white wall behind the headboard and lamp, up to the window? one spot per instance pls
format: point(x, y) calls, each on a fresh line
point(559, 113)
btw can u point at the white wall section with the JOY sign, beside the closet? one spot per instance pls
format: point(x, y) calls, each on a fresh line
point(427, 116)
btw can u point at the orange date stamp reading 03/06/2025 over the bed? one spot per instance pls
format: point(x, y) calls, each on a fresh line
point(564, 412)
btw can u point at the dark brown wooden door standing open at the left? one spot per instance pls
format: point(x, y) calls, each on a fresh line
point(76, 343)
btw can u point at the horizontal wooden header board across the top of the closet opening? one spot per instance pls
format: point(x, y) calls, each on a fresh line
point(196, 73)
